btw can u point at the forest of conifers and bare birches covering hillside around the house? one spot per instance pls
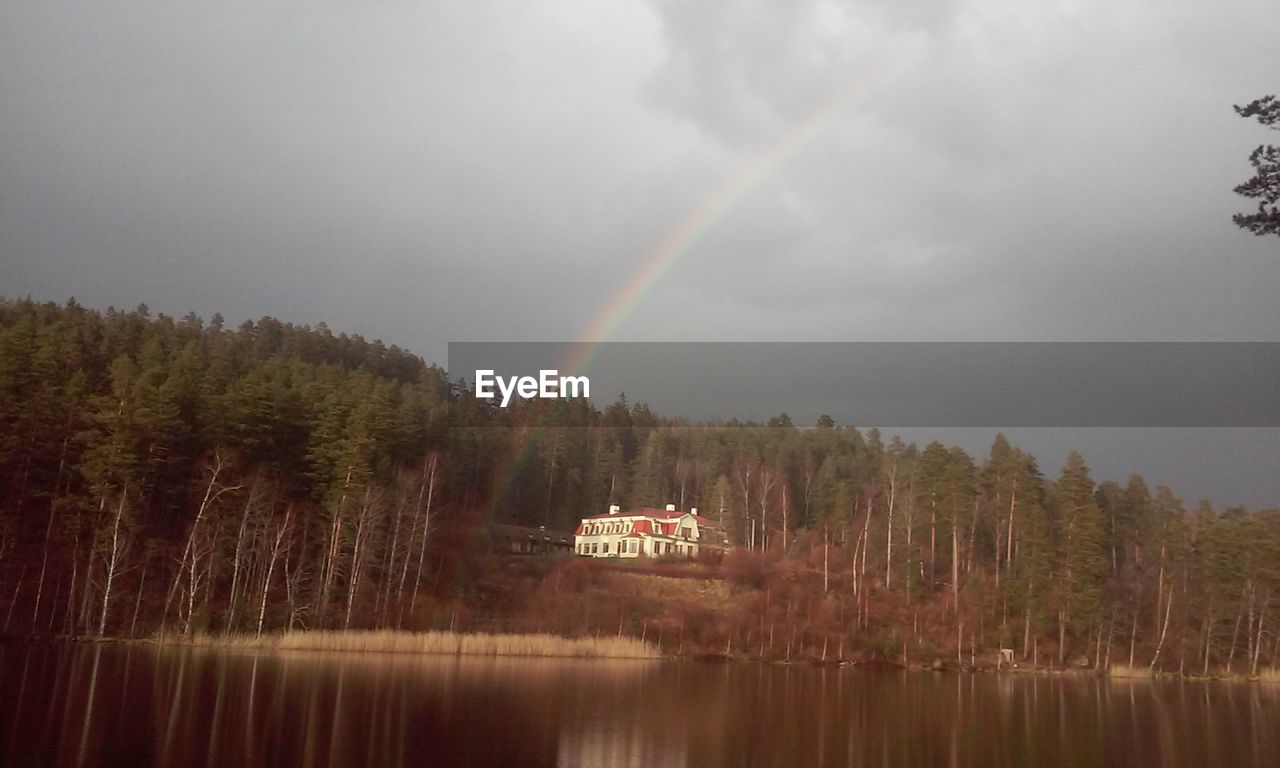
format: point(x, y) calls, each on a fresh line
point(173, 476)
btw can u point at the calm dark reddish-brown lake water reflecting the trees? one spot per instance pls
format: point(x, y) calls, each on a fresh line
point(112, 706)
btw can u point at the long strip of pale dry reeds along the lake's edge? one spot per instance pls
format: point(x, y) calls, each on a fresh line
point(433, 643)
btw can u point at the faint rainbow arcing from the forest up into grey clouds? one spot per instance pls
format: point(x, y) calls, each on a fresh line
point(693, 230)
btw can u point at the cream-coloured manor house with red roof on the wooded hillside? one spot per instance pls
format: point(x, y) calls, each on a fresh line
point(644, 533)
